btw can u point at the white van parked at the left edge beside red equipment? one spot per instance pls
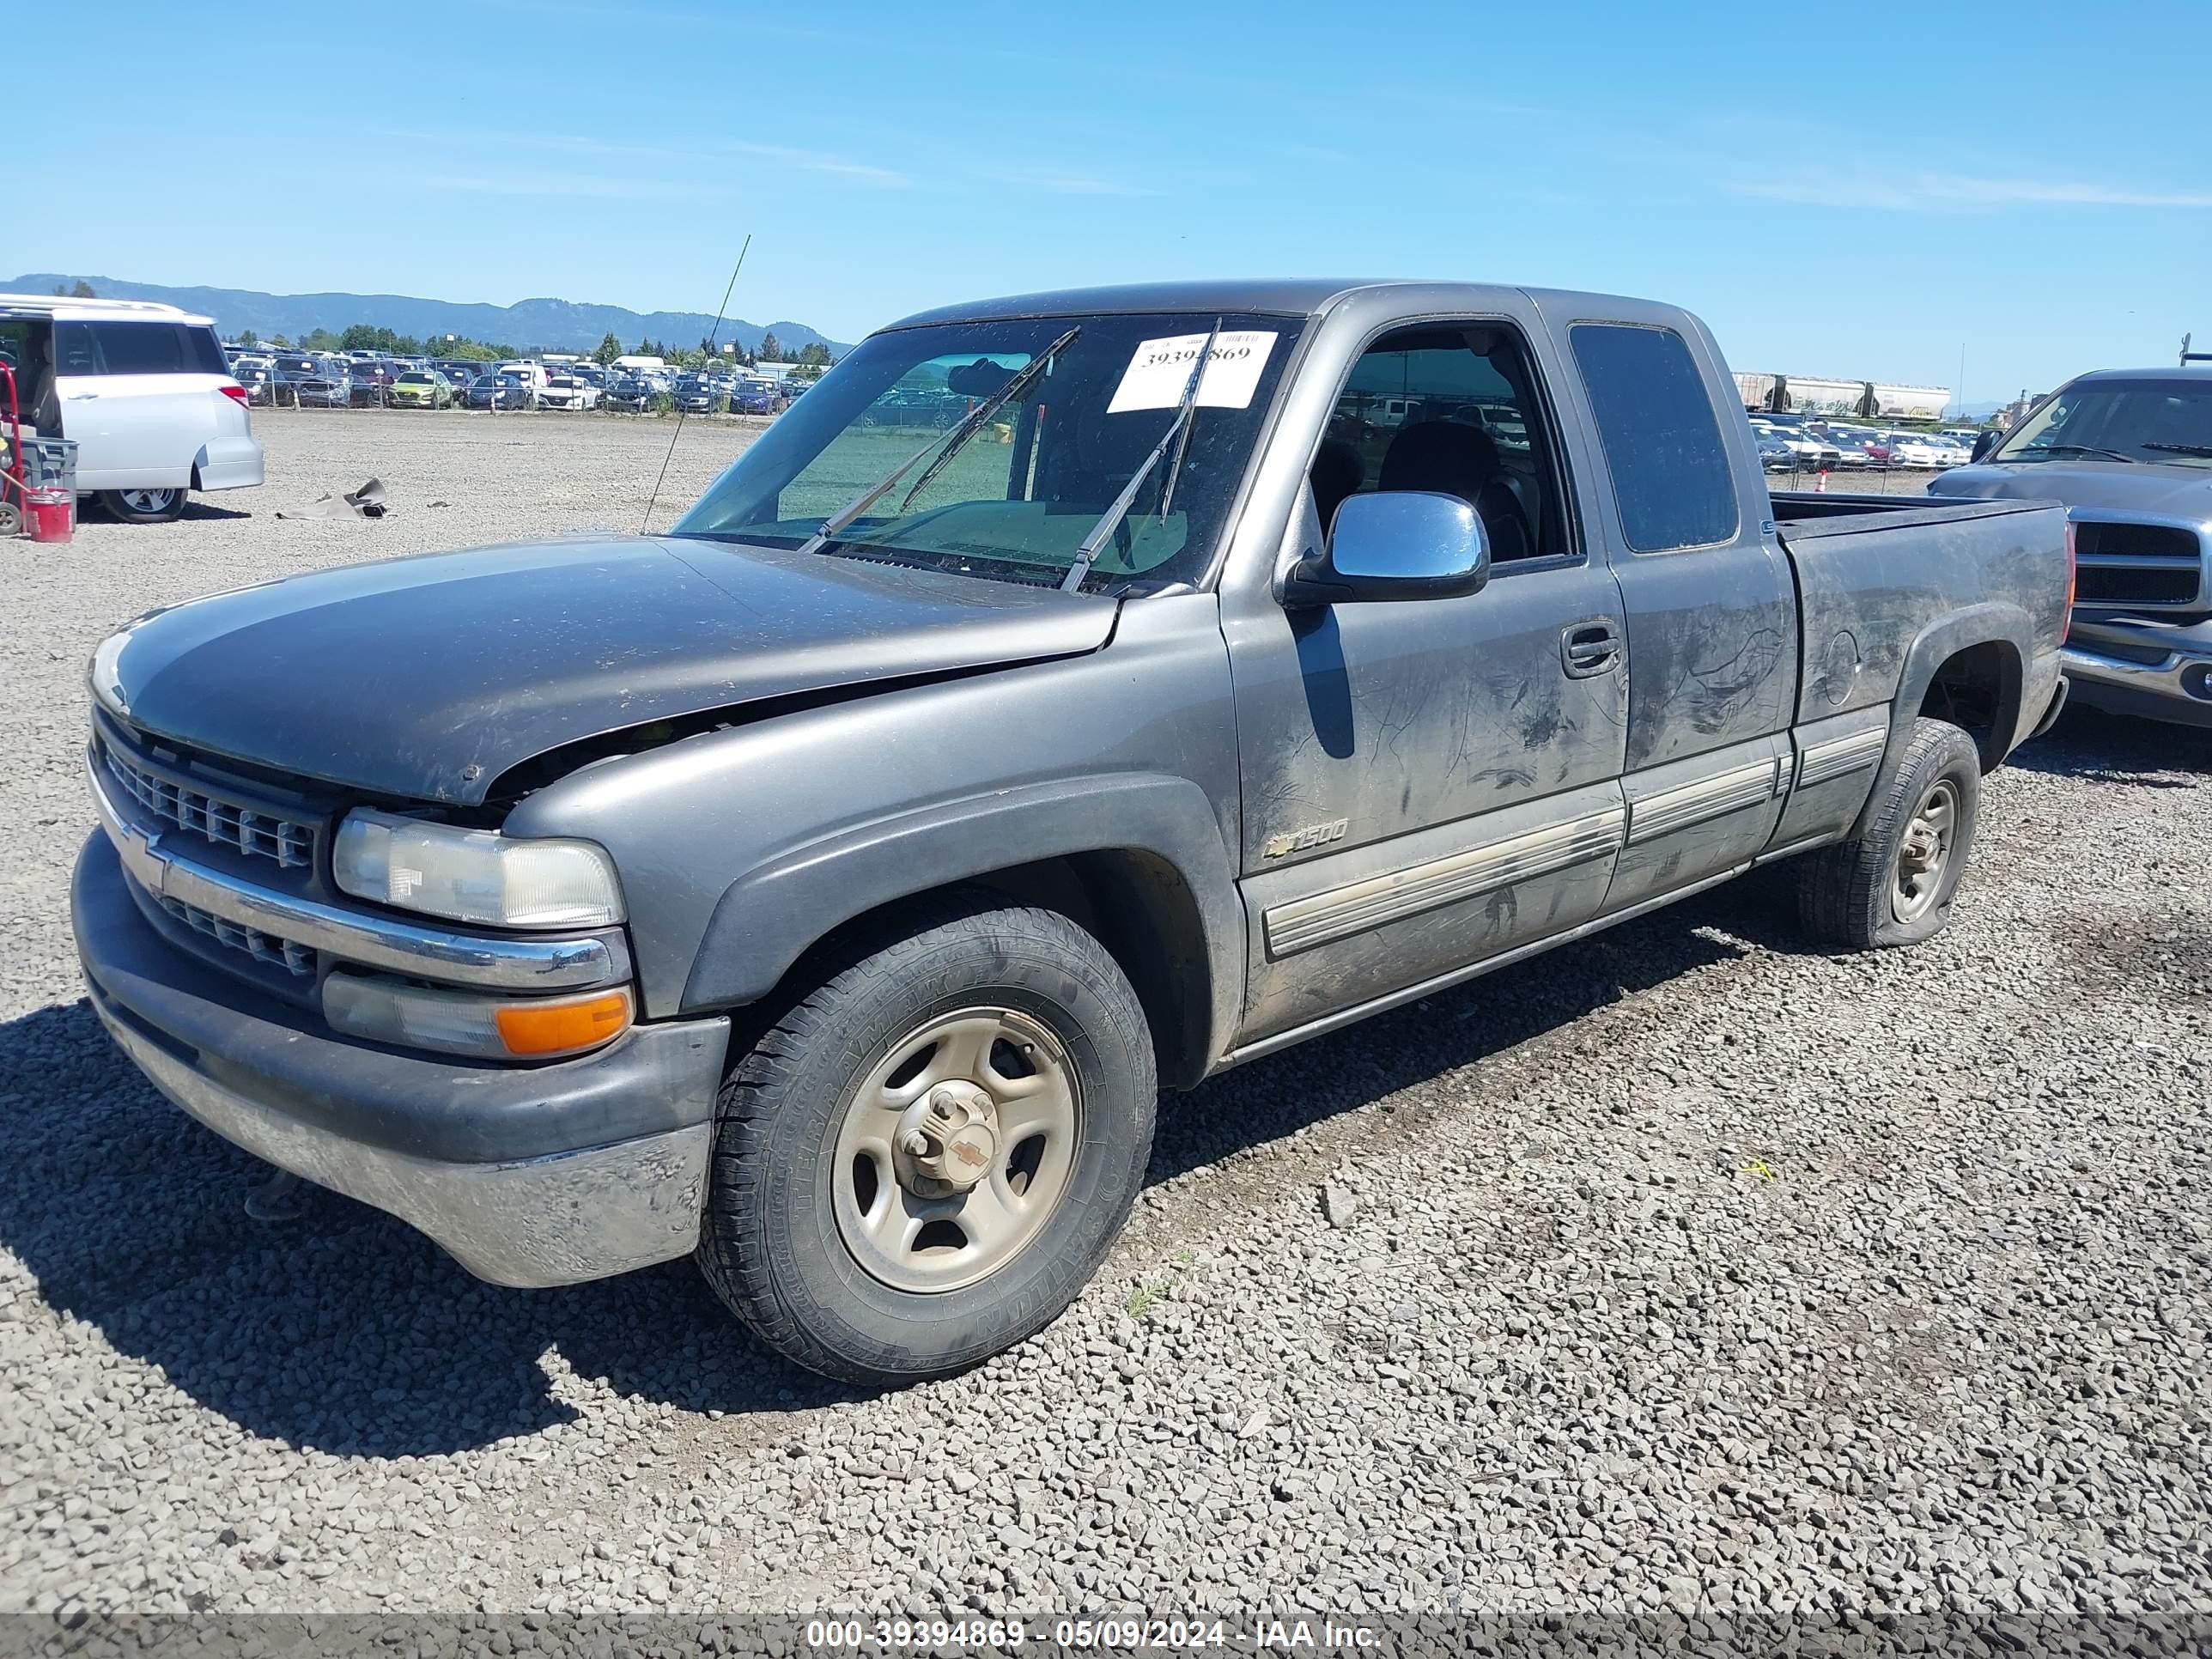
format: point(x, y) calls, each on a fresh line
point(145, 395)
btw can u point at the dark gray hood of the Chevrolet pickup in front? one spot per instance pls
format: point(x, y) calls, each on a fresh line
point(430, 676)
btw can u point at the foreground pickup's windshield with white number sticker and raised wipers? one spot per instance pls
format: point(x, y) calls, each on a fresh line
point(1019, 497)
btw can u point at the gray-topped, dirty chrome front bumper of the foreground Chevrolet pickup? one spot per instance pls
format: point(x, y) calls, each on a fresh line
point(530, 1176)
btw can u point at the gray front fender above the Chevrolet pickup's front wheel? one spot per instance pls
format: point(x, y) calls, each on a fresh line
point(744, 846)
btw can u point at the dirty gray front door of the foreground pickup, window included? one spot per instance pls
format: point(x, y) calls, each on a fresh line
point(1432, 782)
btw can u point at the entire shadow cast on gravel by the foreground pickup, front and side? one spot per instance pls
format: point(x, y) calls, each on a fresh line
point(348, 1333)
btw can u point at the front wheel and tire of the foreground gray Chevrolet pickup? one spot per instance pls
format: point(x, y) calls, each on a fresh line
point(811, 1209)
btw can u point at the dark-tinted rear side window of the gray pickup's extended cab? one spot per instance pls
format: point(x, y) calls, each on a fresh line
point(1660, 435)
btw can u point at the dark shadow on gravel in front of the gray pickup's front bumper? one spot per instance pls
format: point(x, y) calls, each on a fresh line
point(342, 1331)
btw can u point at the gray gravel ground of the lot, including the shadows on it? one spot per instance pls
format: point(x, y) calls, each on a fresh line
point(1687, 1269)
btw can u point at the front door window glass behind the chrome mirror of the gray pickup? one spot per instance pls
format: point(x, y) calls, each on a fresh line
point(1452, 410)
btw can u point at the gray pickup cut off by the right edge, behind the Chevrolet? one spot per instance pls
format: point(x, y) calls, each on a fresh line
point(2131, 457)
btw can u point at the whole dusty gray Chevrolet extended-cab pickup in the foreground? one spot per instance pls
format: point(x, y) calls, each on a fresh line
point(1072, 696)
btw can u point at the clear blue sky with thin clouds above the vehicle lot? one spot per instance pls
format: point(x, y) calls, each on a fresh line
point(1855, 191)
